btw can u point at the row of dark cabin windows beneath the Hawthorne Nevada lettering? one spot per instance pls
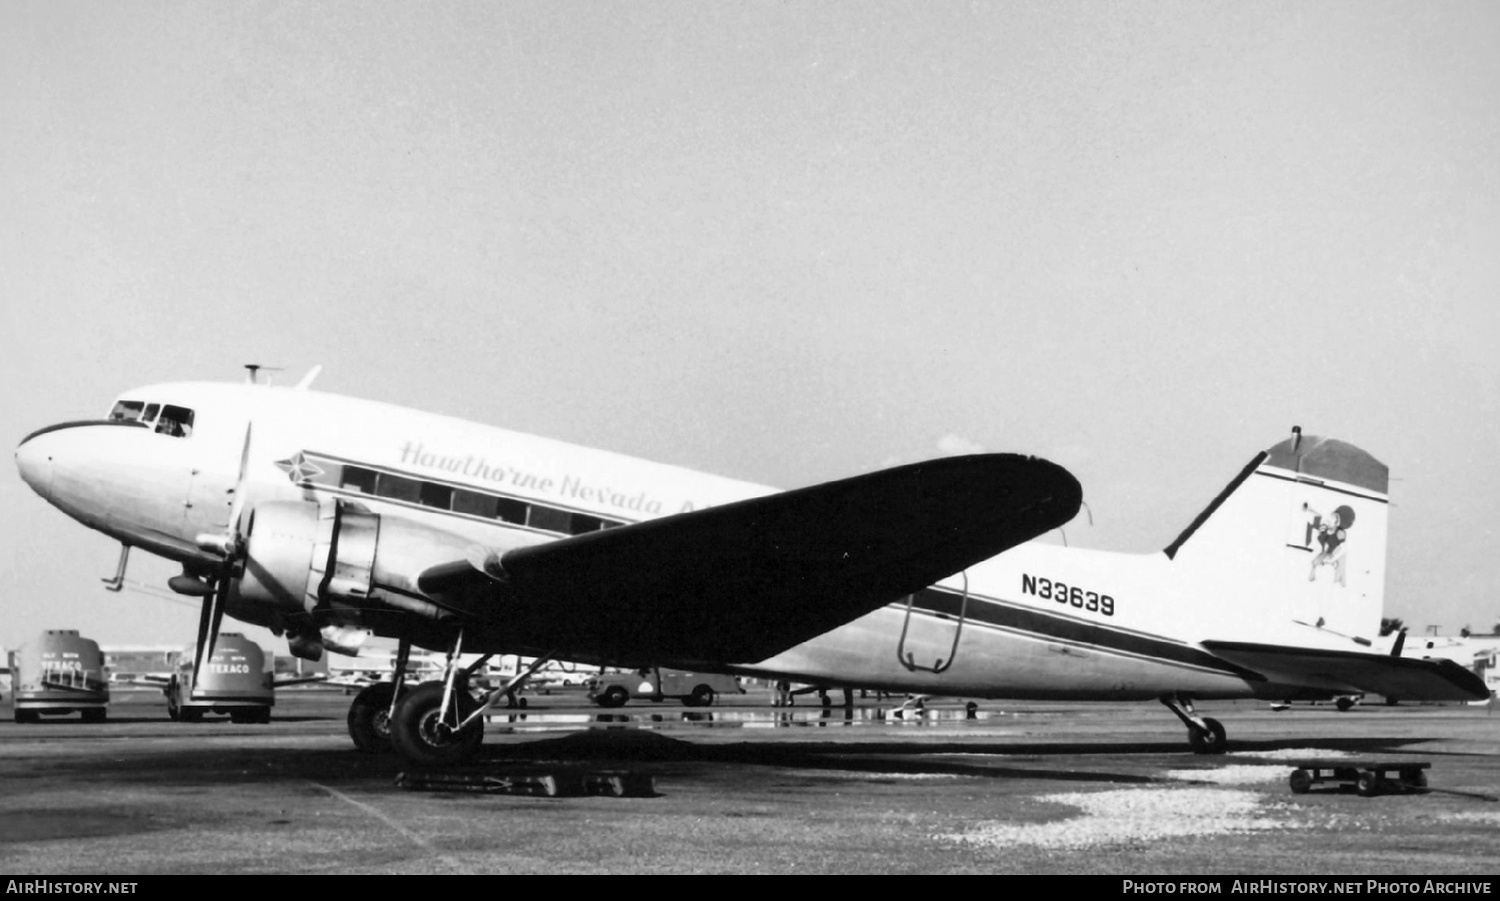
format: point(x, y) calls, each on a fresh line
point(445, 497)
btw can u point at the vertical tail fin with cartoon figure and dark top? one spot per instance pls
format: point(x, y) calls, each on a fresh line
point(1294, 551)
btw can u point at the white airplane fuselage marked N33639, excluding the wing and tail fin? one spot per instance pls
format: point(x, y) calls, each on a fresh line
point(1039, 621)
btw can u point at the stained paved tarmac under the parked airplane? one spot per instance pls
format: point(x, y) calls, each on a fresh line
point(1022, 788)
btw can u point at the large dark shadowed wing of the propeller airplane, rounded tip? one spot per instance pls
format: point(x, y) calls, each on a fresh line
point(746, 581)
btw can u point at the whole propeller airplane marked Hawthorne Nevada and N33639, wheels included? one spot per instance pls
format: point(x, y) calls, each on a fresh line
point(329, 519)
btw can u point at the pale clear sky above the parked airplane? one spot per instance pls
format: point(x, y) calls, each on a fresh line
point(782, 242)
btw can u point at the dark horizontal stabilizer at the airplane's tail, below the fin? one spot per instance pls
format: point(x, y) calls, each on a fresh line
point(1352, 671)
